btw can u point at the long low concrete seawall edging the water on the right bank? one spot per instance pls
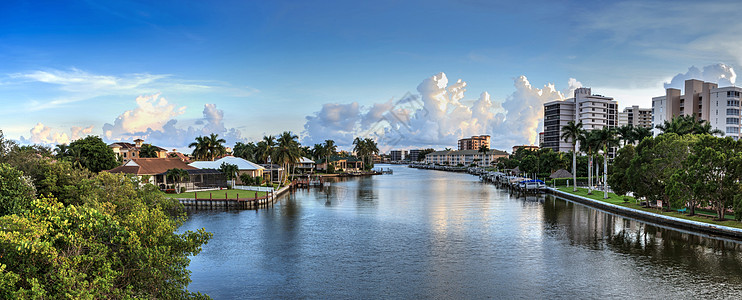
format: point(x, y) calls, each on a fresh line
point(688, 225)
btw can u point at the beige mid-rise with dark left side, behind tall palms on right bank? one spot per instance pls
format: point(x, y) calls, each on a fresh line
point(594, 111)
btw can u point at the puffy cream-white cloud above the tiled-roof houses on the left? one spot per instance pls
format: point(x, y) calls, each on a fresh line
point(154, 120)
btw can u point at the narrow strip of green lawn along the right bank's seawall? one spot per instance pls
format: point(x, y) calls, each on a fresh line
point(701, 216)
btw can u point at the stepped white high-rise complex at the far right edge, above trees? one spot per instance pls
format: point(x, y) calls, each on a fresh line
point(720, 106)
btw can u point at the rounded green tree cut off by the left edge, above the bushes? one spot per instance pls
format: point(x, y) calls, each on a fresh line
point(16, 191)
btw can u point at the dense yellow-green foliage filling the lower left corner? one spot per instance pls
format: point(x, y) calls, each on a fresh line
point(89, 236)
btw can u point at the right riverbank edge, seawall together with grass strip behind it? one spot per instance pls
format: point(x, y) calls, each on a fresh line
point(681, 221)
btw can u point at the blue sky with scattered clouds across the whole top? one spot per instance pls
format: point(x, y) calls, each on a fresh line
point(248, 68)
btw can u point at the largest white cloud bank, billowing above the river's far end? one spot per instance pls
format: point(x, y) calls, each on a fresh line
point(437, 117)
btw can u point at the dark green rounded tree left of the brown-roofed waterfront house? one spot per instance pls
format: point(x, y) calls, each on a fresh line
point(94, 154)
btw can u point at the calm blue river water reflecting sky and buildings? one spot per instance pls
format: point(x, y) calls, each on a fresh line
point(421, 234)
